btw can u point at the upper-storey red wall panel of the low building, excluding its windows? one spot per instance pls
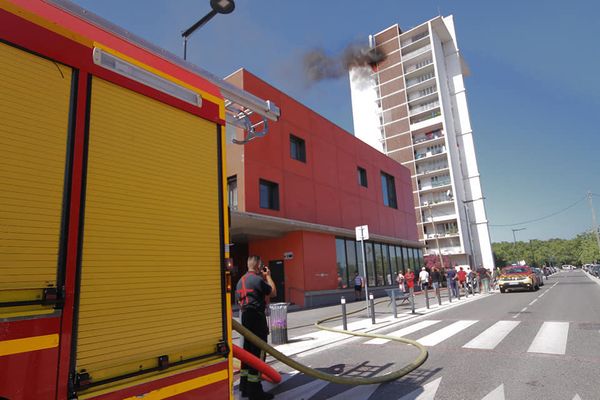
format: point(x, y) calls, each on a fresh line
point(325, 189)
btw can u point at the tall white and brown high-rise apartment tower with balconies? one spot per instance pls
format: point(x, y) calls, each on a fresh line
point(413, 107)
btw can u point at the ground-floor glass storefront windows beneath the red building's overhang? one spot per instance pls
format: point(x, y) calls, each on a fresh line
point(383, 261)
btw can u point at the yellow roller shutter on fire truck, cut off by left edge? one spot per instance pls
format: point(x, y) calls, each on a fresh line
point(34, 117)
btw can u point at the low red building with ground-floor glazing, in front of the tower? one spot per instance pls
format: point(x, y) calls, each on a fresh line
point(297, 194)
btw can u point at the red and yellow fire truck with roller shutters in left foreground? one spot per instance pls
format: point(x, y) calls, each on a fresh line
point(113, 218)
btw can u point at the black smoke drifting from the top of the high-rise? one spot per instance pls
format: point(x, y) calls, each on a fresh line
point(319, 65)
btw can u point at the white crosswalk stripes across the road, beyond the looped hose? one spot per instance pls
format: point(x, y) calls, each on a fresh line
point(550, 337)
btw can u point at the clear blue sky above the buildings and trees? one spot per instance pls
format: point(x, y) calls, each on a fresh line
point(534, 90)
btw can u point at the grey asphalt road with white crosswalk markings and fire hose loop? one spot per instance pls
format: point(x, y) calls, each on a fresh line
point(521, 345)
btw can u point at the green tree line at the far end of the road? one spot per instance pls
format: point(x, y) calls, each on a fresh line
point(583, 249)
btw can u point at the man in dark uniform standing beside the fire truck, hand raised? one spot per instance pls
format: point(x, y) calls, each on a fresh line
point(251, 293)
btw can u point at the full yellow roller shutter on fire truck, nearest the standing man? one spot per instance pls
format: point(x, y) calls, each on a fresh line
point(150, 274)
